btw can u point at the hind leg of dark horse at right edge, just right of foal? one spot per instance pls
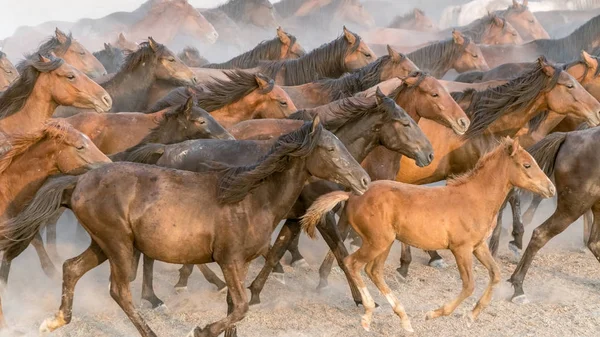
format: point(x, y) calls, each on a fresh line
point(562, 218)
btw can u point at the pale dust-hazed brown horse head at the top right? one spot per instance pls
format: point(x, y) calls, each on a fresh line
point(524, 21)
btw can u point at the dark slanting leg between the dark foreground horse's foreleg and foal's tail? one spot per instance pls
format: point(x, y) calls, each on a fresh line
point(289, 231)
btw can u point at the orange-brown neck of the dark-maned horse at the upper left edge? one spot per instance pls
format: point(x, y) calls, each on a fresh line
point(38, 108)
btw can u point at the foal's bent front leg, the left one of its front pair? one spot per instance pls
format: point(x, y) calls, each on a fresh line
point(464, 262)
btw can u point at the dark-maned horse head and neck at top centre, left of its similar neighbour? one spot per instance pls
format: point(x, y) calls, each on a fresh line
point(283, 46)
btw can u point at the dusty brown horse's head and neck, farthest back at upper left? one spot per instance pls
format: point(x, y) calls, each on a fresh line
point(74, 53)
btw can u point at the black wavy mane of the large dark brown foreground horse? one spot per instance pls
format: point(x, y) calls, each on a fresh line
point(236, 182)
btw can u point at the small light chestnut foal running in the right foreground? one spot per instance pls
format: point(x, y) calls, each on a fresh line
point(458, 217)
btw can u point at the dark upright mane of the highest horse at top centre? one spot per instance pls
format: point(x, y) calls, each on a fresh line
point(317, 64)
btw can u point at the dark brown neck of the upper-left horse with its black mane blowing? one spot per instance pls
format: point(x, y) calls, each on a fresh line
point(130, 91)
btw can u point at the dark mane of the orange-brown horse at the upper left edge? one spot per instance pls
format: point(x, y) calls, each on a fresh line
point(13, 99)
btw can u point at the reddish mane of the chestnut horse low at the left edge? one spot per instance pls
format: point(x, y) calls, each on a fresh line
point(20, 143)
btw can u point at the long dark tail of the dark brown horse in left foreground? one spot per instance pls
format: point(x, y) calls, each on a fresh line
point(17, 233)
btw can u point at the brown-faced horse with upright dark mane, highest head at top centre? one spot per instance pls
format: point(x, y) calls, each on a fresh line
point(346, 53)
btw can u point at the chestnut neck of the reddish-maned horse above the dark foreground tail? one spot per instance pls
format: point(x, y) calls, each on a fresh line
point(23, 177)
